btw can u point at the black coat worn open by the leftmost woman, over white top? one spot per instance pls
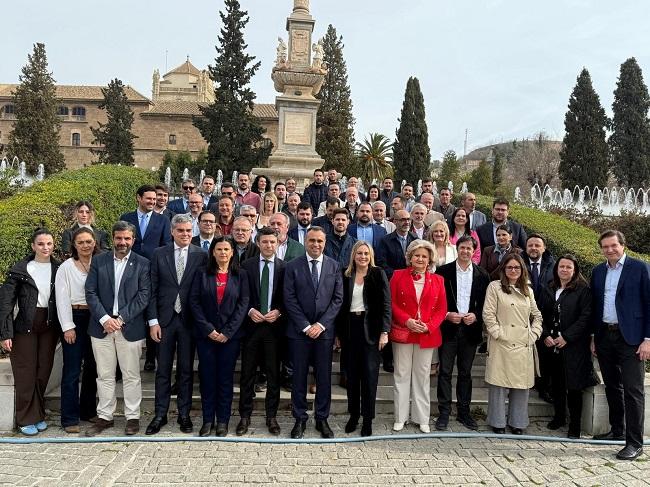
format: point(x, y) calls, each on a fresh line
point(20, 289)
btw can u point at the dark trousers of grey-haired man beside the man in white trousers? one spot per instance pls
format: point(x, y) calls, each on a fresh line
point(176, 339)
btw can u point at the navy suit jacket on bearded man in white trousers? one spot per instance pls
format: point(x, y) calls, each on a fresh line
point(133, 295)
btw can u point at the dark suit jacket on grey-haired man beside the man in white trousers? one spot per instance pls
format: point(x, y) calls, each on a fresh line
point(165, 286)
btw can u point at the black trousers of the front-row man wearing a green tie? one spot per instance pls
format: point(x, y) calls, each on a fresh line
point(261, 347)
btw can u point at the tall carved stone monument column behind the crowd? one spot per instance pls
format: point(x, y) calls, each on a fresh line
point(298, 79)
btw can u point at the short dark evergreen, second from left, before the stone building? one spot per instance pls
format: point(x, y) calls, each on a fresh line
point(115, 136)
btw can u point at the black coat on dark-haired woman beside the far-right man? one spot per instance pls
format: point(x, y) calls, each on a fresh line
point(574, 325)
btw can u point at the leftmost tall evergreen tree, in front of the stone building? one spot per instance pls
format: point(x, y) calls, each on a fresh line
point(35, 135)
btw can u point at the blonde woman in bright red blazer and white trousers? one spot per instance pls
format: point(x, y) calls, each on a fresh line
point(419, 306)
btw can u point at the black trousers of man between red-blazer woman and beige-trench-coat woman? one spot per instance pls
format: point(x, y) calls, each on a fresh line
point(459, 350)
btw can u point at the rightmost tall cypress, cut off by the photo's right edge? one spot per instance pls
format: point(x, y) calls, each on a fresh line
point(630, 139)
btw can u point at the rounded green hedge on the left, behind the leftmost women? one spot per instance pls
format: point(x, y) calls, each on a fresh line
point(50, 203)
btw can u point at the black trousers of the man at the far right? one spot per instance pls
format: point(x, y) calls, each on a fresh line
point(623, 374)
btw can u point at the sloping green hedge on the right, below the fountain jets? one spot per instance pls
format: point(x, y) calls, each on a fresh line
point(562, 236)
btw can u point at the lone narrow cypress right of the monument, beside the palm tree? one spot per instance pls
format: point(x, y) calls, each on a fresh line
point(411, 154)
